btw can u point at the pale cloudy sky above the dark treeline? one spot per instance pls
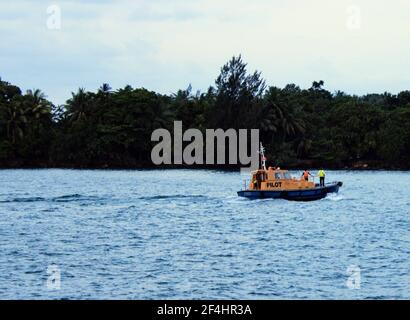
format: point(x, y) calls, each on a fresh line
point(358, 46)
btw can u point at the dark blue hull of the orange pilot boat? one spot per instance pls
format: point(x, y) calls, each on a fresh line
point(296, 195)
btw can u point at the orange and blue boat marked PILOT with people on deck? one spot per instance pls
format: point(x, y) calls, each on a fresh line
point(279, 184)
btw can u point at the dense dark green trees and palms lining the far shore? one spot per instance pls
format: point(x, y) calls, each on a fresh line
point(300, 128)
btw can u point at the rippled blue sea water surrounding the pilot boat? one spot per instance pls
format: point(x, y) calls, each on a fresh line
point(184, 234)
